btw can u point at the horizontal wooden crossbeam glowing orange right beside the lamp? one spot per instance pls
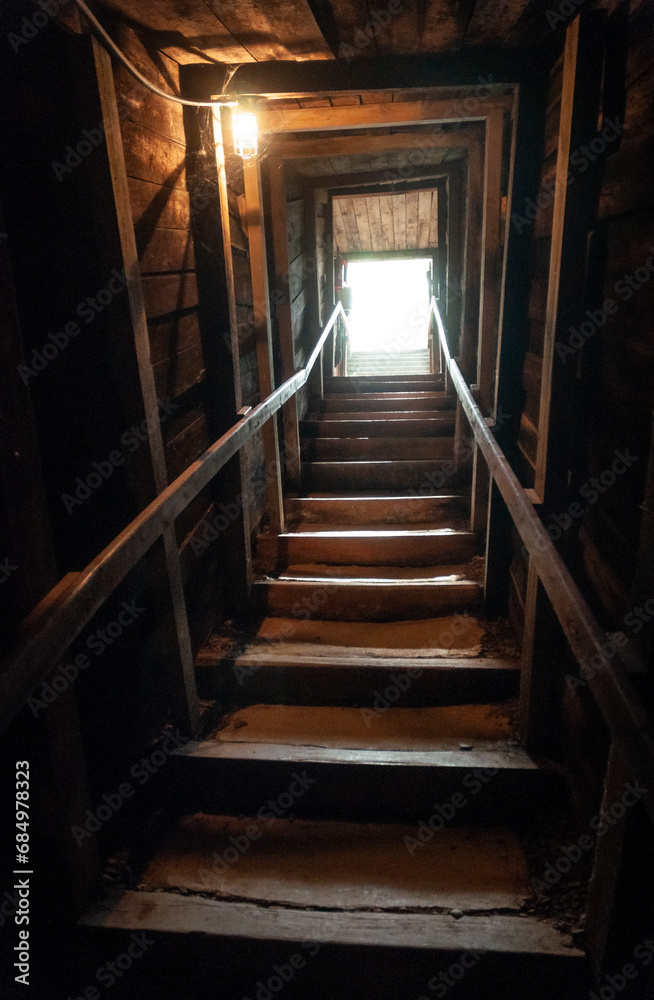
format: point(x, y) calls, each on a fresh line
point(371, 115)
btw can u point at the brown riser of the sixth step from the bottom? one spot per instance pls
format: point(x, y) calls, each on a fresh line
point(374, 510)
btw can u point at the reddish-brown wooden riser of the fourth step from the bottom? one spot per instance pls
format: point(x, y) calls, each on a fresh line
point(378, 598)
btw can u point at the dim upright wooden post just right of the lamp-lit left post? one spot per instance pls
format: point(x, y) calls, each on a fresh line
point(284, 316)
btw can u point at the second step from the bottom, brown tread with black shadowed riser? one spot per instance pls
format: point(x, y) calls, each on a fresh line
point(355, 771)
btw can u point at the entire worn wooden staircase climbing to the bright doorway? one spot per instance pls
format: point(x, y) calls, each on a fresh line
point(362, 785)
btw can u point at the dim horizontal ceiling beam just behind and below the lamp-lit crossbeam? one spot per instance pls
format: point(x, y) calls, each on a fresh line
point(290, 149)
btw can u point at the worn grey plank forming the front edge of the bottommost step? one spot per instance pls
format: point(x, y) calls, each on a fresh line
point(166, 912)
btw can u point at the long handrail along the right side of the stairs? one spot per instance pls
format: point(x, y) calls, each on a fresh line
point(617, 699)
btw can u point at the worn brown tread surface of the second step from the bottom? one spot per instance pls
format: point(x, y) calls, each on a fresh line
point(482, 727)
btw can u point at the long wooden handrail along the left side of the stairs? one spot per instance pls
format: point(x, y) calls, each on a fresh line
point(57, 621)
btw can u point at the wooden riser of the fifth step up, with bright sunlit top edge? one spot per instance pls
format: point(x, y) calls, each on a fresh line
point(367, 548)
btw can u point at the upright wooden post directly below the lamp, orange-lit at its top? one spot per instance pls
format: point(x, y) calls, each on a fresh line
point(263, 335)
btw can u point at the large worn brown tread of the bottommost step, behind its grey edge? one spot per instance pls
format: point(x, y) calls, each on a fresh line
point(342, 865)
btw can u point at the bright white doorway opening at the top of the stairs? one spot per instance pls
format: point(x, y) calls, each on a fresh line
point(389, 317)
